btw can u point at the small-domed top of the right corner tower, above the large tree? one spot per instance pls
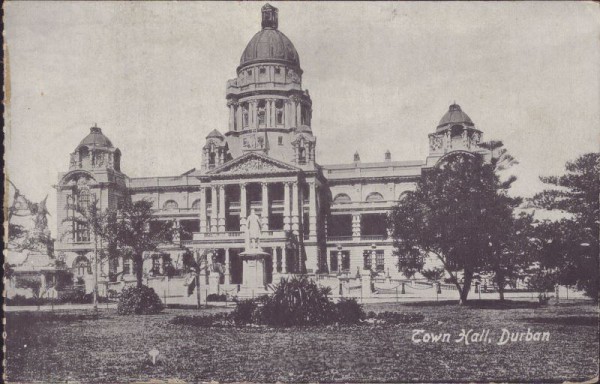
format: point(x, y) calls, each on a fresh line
point(455, 132)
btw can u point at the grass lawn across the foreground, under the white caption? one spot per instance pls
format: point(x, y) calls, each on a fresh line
point(111, 348)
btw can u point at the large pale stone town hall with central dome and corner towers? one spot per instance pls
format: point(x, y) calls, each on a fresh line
point(318, 219)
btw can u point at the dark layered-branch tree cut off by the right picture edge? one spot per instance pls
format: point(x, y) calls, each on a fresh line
point(570, 246)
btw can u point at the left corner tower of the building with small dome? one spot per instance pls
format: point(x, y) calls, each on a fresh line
point(94, 177)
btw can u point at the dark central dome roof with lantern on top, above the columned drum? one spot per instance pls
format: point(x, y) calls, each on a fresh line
point(270, 44)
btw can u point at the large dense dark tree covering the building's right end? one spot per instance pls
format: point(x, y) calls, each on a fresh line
point(457, 212)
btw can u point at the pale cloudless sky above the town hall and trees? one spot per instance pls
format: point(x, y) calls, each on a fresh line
point(381, 75)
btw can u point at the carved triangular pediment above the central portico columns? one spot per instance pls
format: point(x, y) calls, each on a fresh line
point(253, 163)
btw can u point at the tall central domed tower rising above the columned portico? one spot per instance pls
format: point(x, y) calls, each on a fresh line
point(268, 109)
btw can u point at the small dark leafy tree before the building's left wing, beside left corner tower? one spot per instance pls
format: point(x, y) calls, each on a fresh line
point(138, 231)
